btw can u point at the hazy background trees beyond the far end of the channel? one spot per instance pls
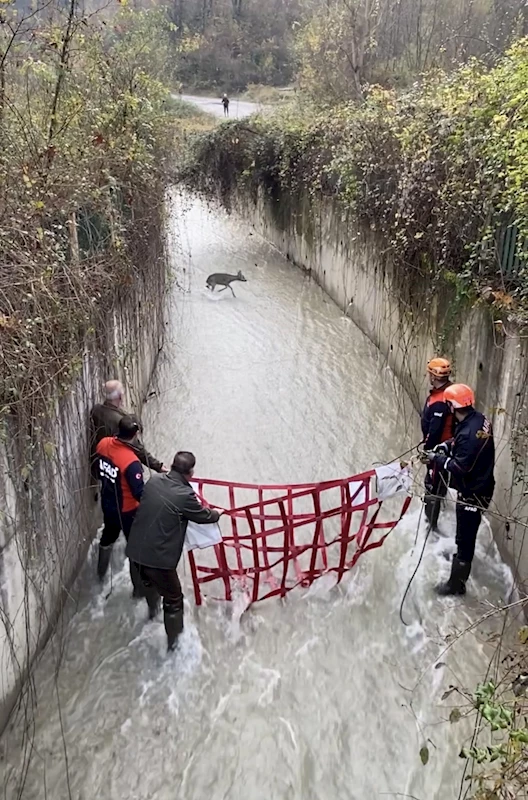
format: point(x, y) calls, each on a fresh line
point(332, 49)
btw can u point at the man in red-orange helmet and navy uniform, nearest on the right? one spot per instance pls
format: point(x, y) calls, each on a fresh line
point(469, 459)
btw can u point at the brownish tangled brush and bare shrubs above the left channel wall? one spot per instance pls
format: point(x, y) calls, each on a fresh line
point(86, 137)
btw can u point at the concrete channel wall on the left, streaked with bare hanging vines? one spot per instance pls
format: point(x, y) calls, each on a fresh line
point(48, 515)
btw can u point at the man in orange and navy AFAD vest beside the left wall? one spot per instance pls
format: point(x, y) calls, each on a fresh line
point(121, 476)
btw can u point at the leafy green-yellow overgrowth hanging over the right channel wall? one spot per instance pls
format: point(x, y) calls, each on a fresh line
point(438, 172)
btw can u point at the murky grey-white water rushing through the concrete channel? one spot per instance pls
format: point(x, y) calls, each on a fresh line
point(325, 696)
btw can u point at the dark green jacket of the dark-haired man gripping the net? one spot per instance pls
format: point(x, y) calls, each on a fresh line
point(167, 504)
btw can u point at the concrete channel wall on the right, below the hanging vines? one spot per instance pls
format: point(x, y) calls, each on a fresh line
point(407, 323)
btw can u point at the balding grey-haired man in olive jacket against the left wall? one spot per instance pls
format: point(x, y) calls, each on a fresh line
point(104, 421)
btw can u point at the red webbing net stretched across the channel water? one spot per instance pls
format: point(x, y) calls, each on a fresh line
point(286, 536)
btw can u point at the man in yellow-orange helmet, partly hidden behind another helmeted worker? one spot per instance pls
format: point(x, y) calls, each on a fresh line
point(437, 427)
